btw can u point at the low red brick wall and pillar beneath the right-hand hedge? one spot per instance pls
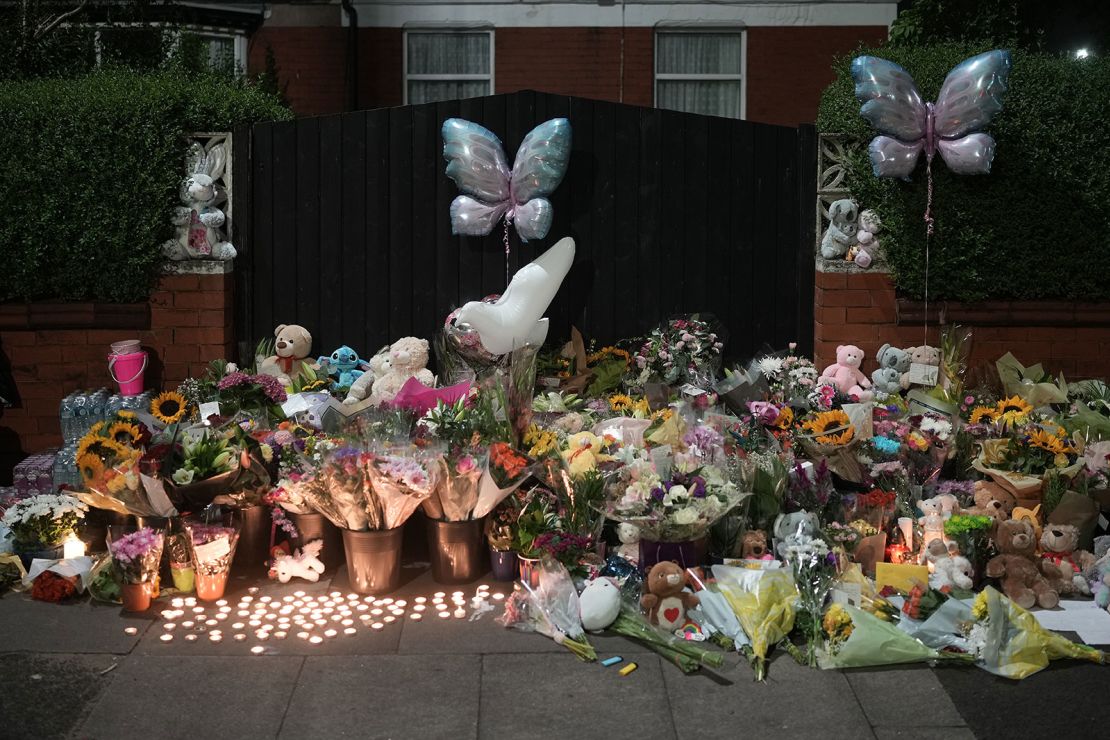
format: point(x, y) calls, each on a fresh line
point(861, 309)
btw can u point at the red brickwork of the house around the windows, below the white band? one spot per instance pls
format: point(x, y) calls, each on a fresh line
point(788, 68)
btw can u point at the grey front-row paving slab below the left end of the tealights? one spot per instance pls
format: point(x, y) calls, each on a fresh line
point(190, 697)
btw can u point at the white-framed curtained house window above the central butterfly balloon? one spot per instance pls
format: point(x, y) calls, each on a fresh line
point(445, 65)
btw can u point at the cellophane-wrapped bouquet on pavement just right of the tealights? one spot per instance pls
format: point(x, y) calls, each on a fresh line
point(551, 609)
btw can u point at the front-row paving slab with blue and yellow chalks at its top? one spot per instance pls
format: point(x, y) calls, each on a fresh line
point(558, 696)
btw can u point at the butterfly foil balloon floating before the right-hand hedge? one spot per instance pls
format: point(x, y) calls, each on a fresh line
point(968, 100)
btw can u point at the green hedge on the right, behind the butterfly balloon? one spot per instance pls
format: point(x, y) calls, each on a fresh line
point(1038, 227)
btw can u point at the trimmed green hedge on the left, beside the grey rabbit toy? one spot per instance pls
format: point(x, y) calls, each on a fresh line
point(90, 171)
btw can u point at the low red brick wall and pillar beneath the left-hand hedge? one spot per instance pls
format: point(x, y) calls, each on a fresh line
point(191, 322)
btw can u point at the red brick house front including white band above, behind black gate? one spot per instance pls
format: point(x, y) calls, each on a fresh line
point(602, 49)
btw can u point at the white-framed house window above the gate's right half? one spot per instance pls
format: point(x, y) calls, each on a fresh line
point(699, 73)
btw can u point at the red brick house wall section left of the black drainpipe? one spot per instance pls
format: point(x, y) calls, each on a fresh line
point(311, 66)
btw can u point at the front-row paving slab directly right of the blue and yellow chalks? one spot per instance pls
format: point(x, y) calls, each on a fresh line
point(795, 702)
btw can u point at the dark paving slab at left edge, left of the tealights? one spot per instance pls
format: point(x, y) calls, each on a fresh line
point(79, 627)
